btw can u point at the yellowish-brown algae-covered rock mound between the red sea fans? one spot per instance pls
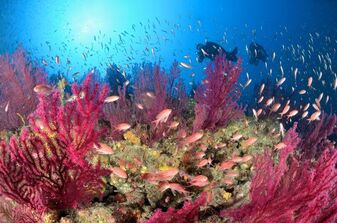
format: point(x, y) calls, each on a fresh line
point(228, 186)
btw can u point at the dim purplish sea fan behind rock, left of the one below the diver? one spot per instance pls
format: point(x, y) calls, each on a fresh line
point(156, 90)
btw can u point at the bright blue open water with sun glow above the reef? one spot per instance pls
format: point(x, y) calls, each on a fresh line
point(92, 34)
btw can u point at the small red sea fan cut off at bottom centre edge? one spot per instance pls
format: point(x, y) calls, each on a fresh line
point(188, 213)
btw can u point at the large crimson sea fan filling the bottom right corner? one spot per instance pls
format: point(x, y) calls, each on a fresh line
point(293, 191)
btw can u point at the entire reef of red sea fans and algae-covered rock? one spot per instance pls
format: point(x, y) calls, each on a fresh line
point(157, 155)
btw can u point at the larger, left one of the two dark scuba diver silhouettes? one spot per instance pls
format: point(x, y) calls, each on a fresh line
point(211, 50)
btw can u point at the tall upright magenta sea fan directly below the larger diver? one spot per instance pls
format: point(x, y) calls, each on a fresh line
point(216, 98)
